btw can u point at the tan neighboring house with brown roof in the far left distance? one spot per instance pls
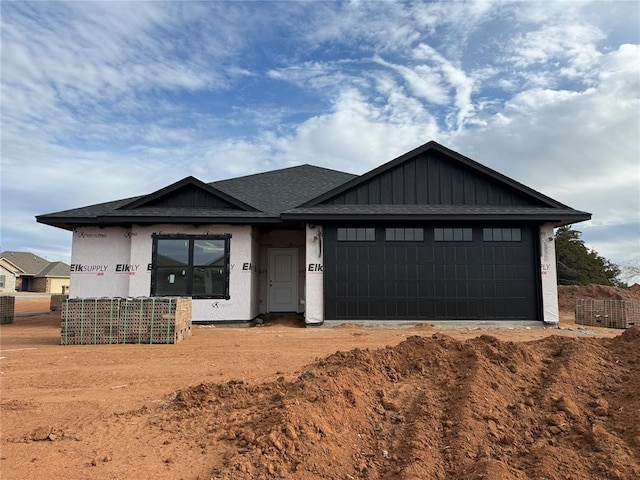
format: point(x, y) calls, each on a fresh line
point(27, 272)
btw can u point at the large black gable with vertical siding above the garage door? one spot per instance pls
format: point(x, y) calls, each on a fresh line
point(434, 175)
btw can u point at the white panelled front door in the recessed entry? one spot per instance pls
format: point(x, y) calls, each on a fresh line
point(283, 280)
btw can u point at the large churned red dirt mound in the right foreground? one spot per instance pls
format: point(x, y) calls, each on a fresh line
point(434, 407)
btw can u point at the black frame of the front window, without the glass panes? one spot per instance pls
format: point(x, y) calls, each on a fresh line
point(190, 267)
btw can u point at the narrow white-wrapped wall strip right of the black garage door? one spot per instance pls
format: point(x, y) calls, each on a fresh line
point(548, 275)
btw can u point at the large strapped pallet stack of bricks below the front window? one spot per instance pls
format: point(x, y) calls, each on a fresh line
point(125, 320)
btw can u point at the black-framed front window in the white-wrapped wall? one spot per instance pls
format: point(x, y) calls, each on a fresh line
point(192, 266)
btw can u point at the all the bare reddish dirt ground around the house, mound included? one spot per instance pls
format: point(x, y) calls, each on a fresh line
point(283, 401)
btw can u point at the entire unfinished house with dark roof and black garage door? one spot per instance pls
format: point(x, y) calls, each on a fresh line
point(431, 235)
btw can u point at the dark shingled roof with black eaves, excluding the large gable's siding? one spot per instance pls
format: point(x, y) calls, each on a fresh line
point(299, 193)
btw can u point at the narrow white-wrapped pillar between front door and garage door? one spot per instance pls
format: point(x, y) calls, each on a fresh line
point(314, 278)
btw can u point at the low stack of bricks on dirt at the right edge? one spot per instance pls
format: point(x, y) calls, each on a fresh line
point(608, 313)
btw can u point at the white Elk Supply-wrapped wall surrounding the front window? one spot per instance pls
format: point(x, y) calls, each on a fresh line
point(116, 261)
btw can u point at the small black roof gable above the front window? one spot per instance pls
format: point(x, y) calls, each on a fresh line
point(189, 193)
